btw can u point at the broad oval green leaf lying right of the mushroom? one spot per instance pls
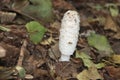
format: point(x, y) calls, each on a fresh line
point(100, 42)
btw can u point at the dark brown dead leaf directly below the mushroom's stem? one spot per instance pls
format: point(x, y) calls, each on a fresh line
point(66, 69)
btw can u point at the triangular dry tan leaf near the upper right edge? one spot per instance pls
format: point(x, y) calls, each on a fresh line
point(110, 24)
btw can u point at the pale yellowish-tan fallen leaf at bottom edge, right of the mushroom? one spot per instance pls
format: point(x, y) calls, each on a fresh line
point(90, 74)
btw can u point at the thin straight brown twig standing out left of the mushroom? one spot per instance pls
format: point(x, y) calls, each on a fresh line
point(21, 57)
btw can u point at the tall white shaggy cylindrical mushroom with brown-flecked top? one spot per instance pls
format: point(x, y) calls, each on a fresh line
point(69, 32)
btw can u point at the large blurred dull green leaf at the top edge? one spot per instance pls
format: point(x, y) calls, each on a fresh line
point(39, 9)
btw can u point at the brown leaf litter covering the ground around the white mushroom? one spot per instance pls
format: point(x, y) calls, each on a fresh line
point(97, 55)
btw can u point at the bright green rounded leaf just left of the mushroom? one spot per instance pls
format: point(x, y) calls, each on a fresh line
point(36, 31)
